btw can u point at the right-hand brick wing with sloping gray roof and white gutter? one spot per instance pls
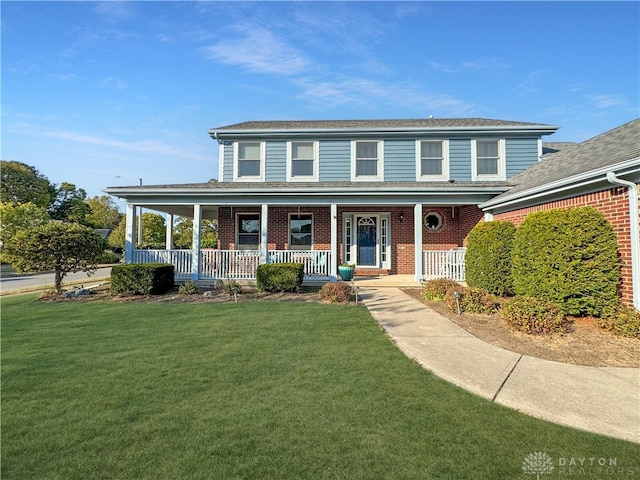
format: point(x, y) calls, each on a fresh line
point(603, 172)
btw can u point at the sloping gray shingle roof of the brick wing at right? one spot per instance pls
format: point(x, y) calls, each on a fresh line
point(607, 149)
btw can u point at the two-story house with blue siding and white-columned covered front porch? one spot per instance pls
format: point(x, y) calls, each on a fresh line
point(390, 196)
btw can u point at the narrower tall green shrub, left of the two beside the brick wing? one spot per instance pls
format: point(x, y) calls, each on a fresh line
point(488, 257)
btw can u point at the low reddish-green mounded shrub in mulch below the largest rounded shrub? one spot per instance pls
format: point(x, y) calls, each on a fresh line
point(533, 315)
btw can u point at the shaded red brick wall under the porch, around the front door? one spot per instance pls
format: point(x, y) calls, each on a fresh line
point(457, 222)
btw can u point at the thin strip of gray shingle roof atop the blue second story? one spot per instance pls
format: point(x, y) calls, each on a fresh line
point(375, 124)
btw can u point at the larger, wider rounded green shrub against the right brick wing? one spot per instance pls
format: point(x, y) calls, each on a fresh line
point(568, 256)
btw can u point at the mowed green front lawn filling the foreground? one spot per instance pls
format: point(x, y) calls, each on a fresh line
point(255, 390)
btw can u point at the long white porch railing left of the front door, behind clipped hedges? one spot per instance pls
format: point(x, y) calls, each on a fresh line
point(235, 264)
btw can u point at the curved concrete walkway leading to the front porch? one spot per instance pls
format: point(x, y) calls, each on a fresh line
point(600, 400)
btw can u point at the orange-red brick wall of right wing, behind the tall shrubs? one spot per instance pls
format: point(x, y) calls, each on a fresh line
point(614, 205)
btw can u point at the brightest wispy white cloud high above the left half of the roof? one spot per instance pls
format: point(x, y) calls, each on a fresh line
point(259, 51)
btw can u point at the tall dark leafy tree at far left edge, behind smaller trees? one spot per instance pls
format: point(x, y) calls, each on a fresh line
point(21, 183)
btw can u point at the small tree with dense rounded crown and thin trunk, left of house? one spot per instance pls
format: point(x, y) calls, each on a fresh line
point(61, 247)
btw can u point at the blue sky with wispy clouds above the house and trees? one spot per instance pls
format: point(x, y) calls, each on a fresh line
point(91, 90)
